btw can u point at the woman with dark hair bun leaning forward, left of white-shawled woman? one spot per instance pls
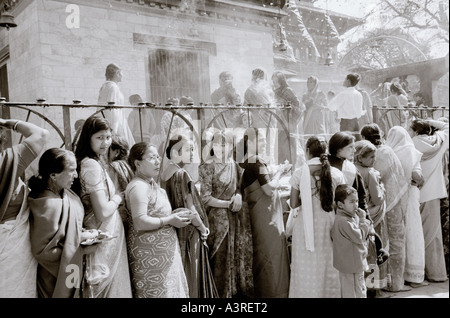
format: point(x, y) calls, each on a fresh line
point(396, 184)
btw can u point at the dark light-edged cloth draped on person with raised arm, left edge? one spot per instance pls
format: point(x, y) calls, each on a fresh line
point(8, 168)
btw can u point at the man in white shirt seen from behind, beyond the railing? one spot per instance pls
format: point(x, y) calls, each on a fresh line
point(348, 104)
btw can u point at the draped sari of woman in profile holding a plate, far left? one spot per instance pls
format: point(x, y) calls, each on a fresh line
point(56, 224)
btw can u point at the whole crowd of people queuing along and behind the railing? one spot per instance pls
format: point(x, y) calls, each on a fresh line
point(121, 218)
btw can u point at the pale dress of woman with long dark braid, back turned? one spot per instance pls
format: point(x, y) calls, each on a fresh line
point(312, 272)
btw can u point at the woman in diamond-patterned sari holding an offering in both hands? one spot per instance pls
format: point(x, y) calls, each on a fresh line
point(155, 257)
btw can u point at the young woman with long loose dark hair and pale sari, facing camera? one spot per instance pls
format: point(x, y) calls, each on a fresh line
point(107, 272)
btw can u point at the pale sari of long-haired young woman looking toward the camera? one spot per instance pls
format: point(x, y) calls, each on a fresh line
point(107, 271)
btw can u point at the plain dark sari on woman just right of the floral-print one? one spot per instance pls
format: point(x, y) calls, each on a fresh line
point(270, 250)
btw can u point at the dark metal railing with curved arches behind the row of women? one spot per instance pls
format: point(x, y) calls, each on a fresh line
point(381, 116)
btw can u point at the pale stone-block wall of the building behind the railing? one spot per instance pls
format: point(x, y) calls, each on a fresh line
point(50, 60)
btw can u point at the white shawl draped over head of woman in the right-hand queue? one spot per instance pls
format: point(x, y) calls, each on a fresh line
point(400, 141)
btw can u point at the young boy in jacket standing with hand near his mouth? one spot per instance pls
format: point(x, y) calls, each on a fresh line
point(349, 235)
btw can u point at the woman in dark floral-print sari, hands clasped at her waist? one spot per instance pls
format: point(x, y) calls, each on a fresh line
point(230, 240)
